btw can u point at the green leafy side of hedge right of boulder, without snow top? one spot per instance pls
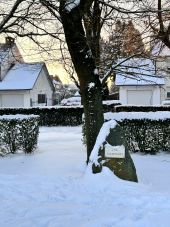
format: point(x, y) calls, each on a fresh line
point(146, 135)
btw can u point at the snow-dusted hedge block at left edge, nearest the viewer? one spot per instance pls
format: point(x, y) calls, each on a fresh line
point(18, 132)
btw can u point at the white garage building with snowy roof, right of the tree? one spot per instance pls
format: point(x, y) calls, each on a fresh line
point(139, 83)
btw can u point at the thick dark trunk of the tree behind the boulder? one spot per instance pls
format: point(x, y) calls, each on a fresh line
point(85, 67)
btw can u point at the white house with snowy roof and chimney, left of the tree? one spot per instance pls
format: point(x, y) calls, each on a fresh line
point(22, 84)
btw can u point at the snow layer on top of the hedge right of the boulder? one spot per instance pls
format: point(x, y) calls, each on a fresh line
point(159, 115)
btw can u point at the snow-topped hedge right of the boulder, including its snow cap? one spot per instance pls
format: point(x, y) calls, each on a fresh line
point(146, 132)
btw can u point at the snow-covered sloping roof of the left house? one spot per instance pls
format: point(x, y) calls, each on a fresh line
point(22, 76)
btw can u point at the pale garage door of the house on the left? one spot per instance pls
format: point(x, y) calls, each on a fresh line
point(12, 100)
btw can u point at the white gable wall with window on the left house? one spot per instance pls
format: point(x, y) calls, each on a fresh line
point(41, 86)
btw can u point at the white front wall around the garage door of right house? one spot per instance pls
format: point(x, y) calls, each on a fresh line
point(156, 94)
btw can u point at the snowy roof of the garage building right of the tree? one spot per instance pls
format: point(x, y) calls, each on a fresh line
point(138, 71)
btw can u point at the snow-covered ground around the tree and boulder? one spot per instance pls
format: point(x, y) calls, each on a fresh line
point(52, 188)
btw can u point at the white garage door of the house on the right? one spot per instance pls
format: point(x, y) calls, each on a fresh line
point(139, 97)
